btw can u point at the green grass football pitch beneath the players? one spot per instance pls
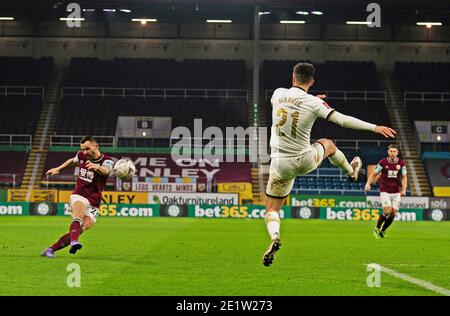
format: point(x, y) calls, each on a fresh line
point(186, 256)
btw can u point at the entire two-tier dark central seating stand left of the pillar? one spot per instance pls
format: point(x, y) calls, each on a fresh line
point(97, 115)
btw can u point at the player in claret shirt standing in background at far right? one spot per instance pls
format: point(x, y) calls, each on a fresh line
point(393, 184)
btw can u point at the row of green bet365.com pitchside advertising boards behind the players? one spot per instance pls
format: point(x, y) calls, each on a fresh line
point(218, 205)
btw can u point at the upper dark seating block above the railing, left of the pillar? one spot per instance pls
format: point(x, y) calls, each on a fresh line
point(157, 73)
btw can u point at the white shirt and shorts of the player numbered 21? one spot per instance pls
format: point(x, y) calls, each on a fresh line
point(294, 112)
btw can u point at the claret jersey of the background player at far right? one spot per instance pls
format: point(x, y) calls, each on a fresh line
point(391, 174)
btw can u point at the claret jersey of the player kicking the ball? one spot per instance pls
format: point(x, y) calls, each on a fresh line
point(91, 184)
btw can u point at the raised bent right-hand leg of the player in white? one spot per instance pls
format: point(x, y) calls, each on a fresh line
point(338, 159)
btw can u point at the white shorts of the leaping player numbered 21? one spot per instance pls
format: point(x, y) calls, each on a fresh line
point(283, 171)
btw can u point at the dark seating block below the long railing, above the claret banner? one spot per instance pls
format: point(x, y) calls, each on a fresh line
point(98, 116)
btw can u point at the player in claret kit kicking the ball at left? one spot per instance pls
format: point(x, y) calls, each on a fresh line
point(93, 170)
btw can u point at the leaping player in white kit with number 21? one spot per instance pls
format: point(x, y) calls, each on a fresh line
point(294, 113)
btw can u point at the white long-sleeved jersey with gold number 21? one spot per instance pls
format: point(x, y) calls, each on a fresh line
point(293, 114)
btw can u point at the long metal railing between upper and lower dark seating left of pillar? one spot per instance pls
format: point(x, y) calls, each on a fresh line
point(154, 92)
